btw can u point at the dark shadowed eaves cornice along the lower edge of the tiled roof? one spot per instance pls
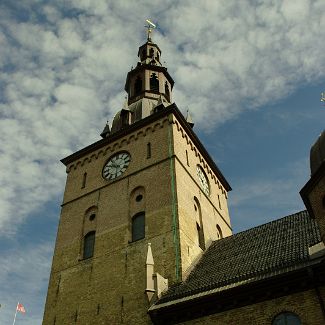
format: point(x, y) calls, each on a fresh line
point(240, 295)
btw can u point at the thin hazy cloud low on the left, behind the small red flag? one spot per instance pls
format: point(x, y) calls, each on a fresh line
point(23, 276)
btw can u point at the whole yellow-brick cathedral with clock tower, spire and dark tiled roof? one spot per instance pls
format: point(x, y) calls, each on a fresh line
point(145, 235)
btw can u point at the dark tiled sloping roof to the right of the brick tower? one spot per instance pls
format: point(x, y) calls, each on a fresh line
point(264, 251)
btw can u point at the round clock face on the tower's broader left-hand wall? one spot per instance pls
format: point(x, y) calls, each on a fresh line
point(116, 165)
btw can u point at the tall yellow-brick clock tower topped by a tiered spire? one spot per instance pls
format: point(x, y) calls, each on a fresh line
point(148, 181)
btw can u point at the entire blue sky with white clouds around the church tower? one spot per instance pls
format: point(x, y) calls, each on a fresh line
point(250, 72)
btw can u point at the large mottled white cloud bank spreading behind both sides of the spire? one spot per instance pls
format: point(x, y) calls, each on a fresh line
point(64, 67)
